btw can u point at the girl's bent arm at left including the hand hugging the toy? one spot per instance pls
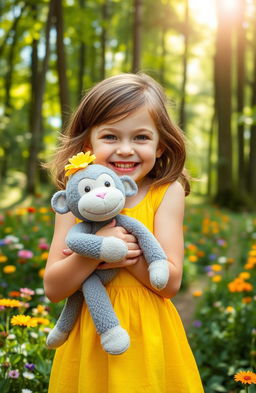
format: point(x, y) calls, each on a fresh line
point(65, 274)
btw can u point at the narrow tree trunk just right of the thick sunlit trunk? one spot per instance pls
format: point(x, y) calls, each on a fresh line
point(240, 59)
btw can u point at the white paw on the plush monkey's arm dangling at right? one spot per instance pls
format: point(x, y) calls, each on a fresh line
point(159, 274)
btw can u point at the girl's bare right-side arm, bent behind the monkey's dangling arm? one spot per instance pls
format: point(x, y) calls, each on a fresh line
point(168, 230)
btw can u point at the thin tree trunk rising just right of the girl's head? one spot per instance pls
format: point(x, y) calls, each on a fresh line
point(185, 62)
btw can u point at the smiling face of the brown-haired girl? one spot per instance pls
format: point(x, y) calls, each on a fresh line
point(129, 146)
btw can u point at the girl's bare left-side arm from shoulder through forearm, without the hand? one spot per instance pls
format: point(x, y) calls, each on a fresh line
point(64, 275)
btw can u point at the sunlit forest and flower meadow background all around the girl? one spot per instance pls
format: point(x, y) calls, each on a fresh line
point(203, 53)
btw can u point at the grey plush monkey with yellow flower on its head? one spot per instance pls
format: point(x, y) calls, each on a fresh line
point(96, 195)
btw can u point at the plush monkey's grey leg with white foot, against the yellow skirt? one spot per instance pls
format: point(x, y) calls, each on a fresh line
point(114, 339)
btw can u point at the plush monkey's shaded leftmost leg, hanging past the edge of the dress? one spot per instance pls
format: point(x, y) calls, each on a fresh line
point(59, 334)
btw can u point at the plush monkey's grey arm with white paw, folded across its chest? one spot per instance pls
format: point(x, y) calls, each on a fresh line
point(80, 240)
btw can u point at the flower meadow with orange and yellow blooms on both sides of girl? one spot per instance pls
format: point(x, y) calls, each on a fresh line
point(220, 255)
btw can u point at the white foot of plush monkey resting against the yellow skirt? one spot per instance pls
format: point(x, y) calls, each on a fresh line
point(115, 340)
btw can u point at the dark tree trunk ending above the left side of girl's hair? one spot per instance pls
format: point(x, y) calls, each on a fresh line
point(61, 63)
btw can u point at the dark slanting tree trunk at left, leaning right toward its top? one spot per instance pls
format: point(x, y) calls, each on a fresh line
point(37, 95)
